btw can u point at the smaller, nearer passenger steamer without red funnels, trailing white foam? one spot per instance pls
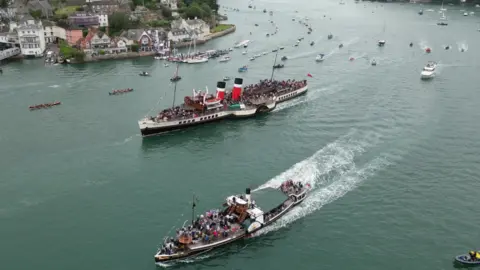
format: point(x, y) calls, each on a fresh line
point(239, 218)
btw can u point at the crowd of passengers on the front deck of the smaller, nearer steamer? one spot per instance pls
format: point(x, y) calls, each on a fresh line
point(212, 226)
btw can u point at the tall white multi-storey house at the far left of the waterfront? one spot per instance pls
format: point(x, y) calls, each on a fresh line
point(31, 36)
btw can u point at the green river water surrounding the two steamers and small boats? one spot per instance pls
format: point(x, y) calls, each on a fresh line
point(393, 159)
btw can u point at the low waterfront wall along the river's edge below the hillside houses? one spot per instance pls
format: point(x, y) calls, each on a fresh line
point(130, 55)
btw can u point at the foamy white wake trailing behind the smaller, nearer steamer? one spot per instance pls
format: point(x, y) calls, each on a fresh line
point(332, 173)
